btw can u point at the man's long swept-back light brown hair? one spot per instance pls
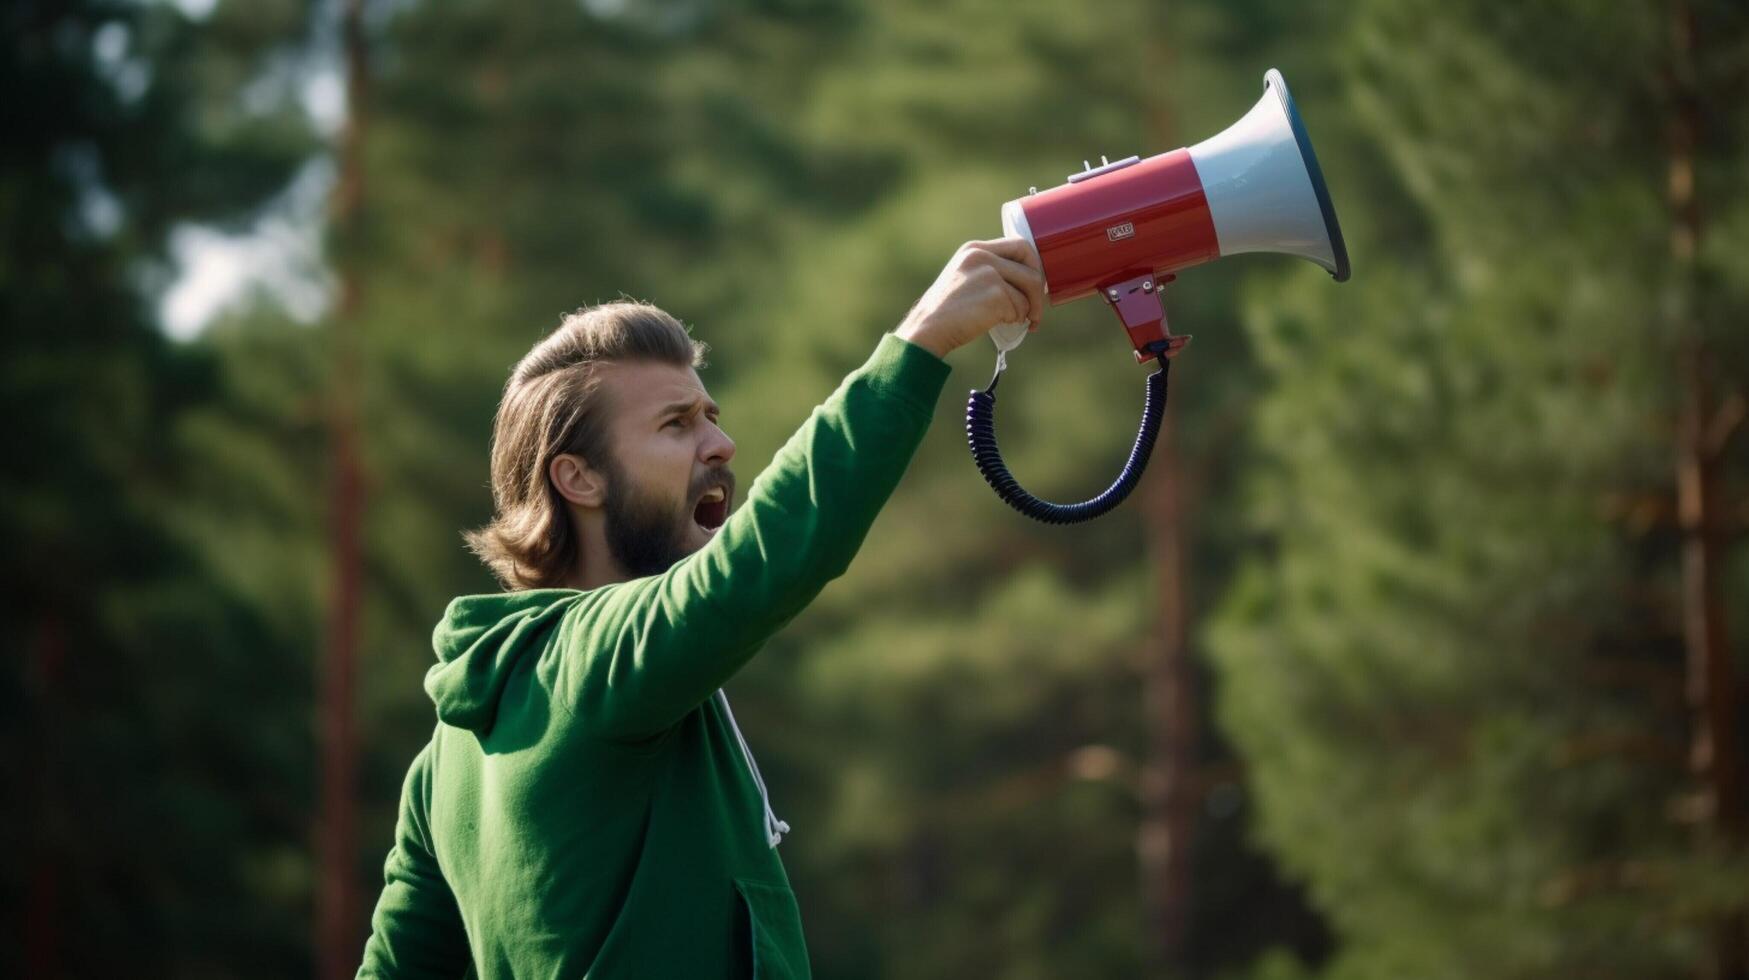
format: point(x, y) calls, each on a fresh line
point(552, 407)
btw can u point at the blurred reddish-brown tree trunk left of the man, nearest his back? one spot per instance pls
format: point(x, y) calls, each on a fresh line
point(338, 928)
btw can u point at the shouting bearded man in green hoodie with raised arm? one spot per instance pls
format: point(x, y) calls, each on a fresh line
point(587, 806)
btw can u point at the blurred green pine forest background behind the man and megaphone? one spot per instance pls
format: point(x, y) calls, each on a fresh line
point(1419, 655)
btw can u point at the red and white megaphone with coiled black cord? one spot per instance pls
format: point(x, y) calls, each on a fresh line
point(1125, 228)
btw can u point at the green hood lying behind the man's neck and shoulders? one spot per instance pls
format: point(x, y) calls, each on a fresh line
point(480, 643)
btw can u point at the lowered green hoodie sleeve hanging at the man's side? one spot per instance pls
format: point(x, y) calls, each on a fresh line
point(417, 928)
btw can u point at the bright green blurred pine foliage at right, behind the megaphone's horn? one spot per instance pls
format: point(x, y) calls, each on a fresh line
point(1456, 680)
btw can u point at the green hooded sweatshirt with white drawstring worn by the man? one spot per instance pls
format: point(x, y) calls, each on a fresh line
point(587, 806)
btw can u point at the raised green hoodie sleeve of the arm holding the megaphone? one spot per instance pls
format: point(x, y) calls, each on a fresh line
point(638, 657)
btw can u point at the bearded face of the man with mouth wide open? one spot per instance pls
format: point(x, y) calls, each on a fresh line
point(669, 480)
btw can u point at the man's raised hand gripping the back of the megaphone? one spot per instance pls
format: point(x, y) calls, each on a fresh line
point(984, 284)
